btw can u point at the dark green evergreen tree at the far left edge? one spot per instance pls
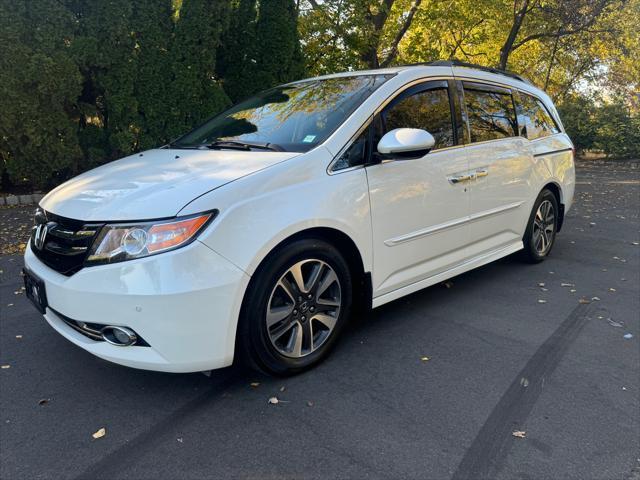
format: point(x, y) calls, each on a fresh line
point(39, 85)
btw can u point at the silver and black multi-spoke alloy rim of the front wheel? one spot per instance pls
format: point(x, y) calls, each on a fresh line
point(303, 308)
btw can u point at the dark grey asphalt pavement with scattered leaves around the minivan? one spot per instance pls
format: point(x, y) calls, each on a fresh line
point(551, 350)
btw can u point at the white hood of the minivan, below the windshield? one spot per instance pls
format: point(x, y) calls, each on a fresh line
point(153, 184)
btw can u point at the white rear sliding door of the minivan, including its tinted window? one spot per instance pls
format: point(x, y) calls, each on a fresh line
point(500, 163)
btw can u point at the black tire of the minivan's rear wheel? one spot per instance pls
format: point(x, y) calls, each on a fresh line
point(532, 252)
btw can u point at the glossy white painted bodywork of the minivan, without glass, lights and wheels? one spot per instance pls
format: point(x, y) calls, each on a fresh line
point(410, 224)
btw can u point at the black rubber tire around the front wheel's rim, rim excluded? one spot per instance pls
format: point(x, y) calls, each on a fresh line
point(253, 328)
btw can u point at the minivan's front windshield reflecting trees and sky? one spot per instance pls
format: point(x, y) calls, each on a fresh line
point(292, 118)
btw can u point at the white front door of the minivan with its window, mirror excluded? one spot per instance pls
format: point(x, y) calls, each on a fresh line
point(419, 207)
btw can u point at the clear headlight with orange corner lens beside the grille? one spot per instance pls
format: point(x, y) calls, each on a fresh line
point(119, 242)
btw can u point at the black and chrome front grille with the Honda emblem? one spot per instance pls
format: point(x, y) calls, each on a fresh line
point(66, 243)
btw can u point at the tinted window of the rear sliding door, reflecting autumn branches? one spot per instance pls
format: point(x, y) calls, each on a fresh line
point(491, 114)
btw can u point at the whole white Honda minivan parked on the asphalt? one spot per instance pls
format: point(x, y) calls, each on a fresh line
point(256, 235)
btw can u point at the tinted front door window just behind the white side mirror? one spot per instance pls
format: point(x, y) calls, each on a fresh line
point(429, 110)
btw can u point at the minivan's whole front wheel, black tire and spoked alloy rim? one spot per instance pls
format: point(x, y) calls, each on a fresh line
point(295, 307)
